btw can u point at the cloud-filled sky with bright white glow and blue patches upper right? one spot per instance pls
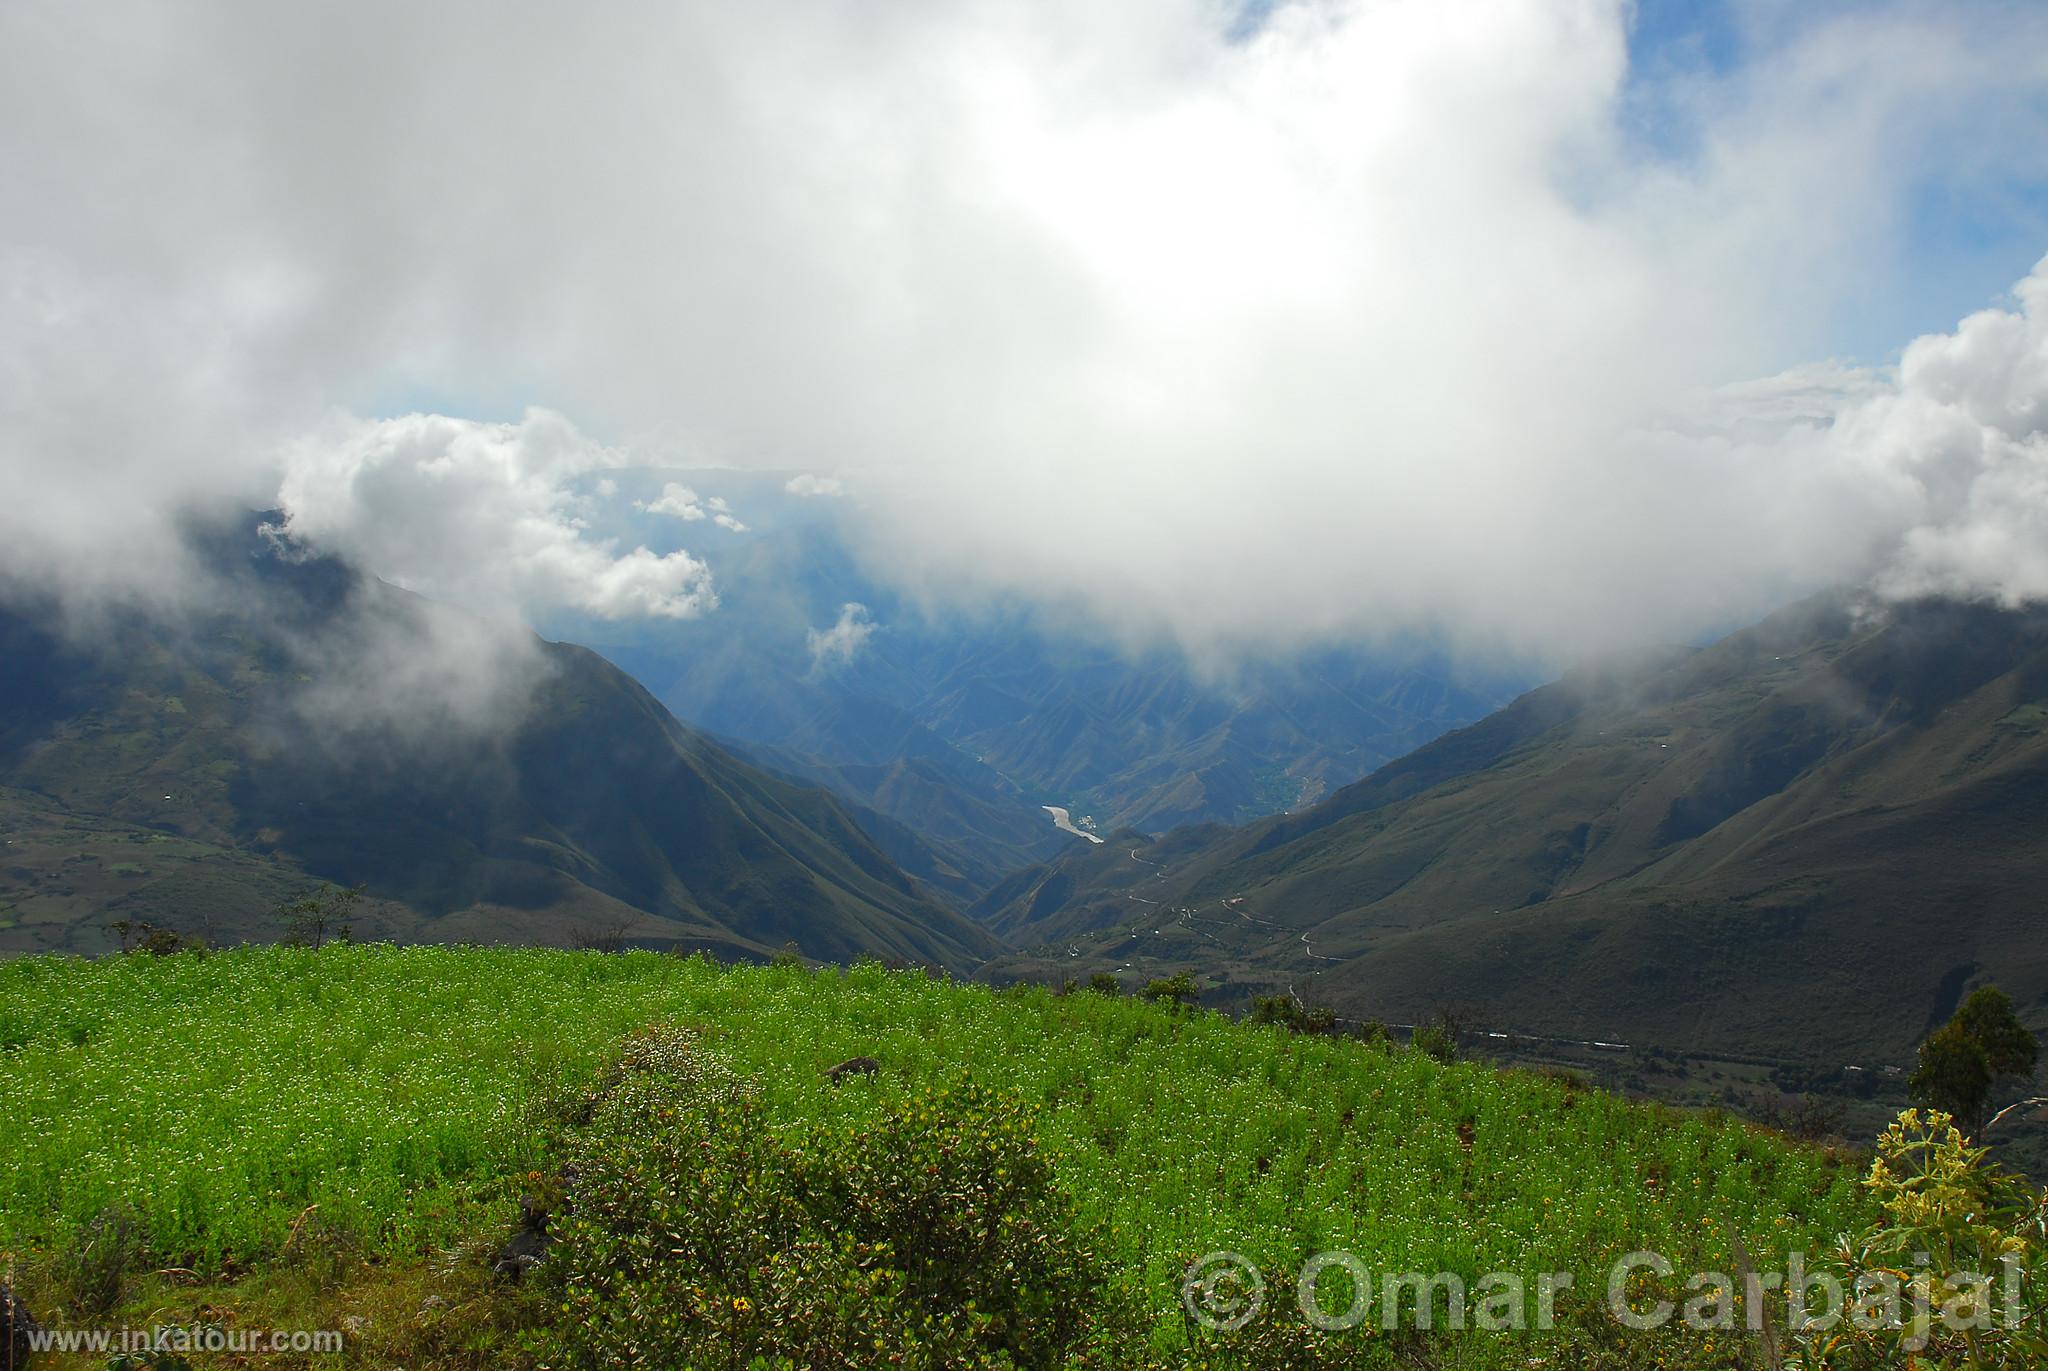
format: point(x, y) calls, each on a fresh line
point(1535, 325)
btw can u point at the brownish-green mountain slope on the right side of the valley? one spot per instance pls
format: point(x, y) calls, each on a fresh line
point(1803, 841)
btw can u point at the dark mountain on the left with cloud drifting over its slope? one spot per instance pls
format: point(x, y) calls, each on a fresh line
point(316, 726)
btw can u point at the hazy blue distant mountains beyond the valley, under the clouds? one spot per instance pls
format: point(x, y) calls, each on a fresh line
point(1000, 712)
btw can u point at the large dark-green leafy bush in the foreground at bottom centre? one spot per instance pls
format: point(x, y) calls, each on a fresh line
point(697, 1235)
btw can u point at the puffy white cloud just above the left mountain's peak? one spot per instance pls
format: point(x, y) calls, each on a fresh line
point(478, 515)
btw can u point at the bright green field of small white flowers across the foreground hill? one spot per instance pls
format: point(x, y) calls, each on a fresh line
point(402, 1089)
